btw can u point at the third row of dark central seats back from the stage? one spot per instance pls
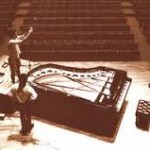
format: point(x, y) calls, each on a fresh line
point(103, 35)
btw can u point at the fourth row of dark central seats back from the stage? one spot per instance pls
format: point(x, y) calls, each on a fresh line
point(80, 27)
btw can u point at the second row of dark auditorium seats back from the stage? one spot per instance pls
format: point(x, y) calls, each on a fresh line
point(58, 45)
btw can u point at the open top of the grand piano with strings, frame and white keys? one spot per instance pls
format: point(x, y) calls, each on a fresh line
point(100, 85)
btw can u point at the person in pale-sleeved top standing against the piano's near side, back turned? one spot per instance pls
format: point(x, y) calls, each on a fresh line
point(24, 94)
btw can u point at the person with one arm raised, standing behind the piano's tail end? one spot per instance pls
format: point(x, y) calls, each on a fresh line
point(14, 51)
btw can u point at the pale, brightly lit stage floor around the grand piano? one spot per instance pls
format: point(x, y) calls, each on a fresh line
point(49, 136)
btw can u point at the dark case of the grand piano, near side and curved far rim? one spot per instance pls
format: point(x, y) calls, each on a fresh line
point(75, 112)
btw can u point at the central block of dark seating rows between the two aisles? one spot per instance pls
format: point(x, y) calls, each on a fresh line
point(78, 30)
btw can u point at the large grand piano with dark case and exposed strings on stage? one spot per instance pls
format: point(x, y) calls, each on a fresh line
point(91, 100)
